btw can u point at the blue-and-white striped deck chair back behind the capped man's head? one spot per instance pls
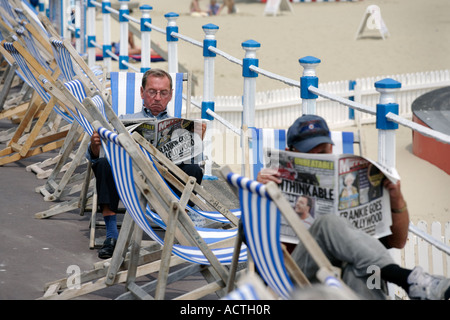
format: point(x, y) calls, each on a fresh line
point(260, 139)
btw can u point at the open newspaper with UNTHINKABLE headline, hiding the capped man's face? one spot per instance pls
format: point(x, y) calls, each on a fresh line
point(347, 185)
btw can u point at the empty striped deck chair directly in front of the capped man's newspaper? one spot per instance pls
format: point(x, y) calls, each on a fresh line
point(262, 207)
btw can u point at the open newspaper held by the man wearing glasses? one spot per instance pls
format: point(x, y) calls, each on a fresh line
point(180, 140)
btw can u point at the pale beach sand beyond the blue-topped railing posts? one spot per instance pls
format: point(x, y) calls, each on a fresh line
point(418, 41)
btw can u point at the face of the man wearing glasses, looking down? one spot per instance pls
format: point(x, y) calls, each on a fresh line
point(156, 94)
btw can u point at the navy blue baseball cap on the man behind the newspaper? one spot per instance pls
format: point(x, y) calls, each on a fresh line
point(307, 132)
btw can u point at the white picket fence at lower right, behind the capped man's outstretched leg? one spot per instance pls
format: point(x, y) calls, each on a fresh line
point(419, 252)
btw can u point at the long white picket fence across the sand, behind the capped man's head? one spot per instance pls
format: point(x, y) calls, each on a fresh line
point(278, 108)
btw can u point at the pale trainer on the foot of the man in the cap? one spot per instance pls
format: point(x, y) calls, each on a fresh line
point(425, 286)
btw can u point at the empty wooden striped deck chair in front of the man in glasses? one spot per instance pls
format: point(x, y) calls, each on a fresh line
point(125, 158)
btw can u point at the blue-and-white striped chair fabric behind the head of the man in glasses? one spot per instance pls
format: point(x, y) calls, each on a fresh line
point(126, 97)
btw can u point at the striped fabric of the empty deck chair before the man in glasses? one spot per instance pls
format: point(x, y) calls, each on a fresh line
point(122, 167)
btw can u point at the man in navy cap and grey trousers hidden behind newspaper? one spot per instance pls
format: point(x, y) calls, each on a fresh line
point(353, 250)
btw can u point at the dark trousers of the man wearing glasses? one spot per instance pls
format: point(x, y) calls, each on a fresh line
point(106, 187)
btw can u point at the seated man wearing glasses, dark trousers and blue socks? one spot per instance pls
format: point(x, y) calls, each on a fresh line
point(156, 93)
